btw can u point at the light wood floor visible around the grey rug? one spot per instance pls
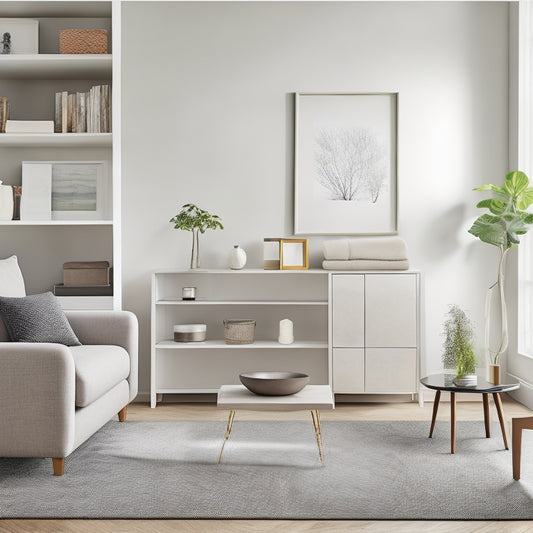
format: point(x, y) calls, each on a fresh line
point(360, 411)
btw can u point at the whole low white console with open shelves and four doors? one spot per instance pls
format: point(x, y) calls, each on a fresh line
point(358, 332)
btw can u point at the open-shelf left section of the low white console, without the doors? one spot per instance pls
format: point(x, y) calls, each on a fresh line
point(265, 296)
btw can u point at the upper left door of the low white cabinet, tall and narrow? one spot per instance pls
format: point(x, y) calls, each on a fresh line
point(348, 310)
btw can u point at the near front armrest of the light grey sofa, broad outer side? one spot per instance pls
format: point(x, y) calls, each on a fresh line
point(37, 392)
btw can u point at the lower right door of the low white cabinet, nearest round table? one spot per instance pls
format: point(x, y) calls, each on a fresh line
point(391, 370)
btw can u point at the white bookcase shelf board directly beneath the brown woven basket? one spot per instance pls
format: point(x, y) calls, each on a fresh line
point(56, 66)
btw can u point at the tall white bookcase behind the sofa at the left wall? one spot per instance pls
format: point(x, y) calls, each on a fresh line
point(30, 82)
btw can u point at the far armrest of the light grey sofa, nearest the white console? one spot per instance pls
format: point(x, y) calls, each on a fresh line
point(119, 328)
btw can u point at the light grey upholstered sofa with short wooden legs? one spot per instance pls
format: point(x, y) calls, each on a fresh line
point(54, 397)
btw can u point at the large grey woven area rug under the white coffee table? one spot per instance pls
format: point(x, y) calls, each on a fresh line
point(374, 470)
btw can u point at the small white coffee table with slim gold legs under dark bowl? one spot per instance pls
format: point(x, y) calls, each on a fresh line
point(311, 397)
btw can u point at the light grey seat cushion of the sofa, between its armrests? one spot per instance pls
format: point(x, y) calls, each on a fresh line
point(98, 369)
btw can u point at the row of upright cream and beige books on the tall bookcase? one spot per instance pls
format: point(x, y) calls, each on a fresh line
point(83, 112)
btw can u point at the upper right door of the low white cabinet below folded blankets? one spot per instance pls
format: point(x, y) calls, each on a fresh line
point(391, 310)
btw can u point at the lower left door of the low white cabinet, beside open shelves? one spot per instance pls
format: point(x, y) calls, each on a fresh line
point(348, 370)
